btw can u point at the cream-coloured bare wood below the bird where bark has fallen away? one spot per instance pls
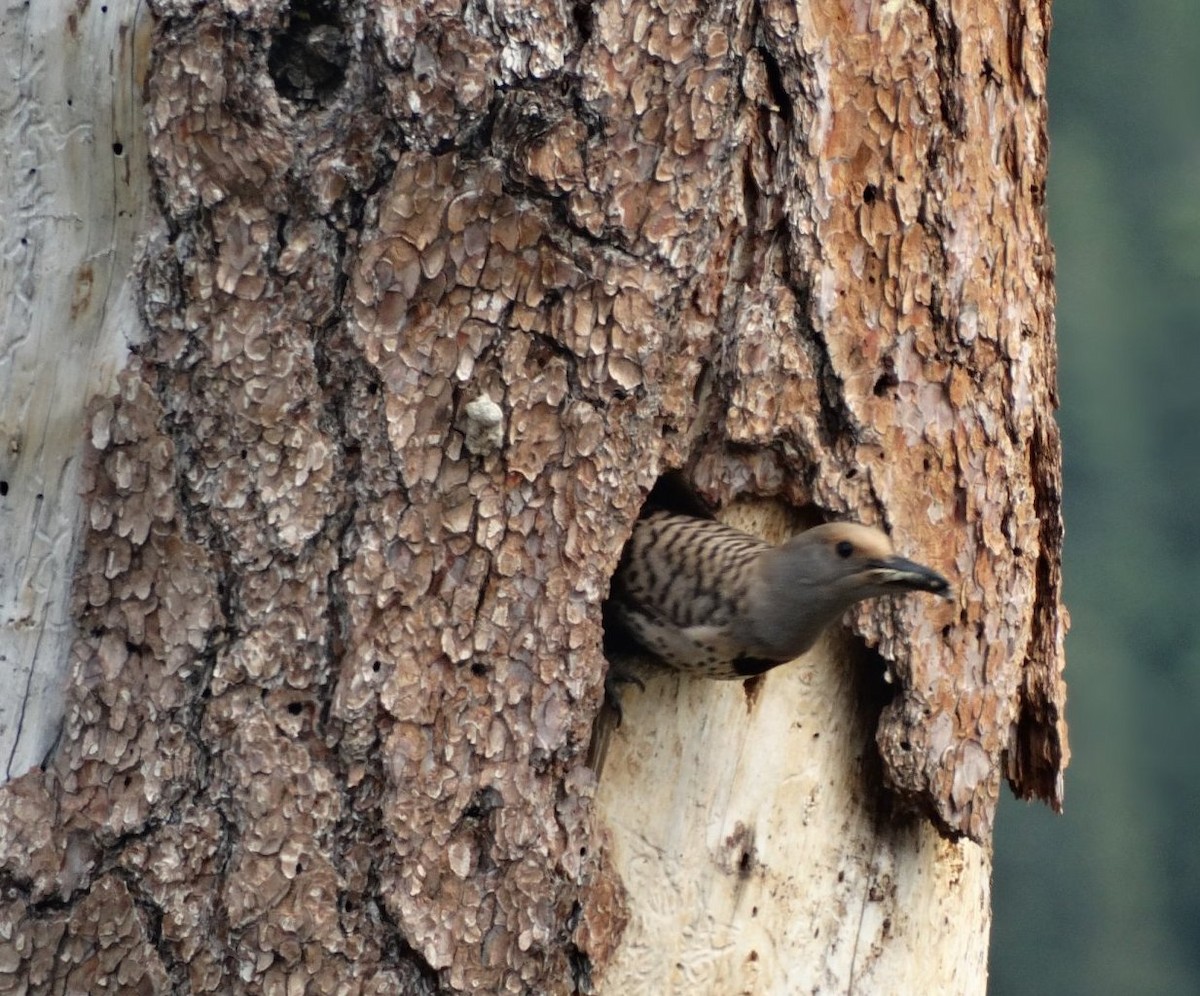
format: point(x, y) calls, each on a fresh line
point(752, 832)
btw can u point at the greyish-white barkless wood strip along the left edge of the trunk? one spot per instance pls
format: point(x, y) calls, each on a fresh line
point(75, 199)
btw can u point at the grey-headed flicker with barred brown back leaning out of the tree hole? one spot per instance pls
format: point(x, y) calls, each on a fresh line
point(713, 602)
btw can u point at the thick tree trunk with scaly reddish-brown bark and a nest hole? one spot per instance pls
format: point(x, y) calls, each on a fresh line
point(439, 295)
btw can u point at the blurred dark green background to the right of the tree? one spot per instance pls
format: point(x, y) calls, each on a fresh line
point(1107, 898)
